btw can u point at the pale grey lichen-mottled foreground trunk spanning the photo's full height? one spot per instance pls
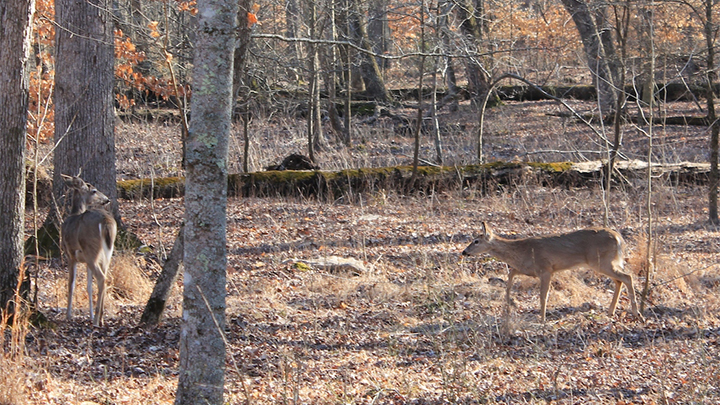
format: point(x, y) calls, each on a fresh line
point(202, 344)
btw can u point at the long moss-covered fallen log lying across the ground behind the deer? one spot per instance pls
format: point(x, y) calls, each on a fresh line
point(344, 184)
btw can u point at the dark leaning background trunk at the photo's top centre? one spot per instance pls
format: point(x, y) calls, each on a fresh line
point(374, 83)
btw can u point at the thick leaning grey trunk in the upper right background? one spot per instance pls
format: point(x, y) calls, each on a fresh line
point(599, 55)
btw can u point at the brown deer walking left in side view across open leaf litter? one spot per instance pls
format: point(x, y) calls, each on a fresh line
point(600, 249)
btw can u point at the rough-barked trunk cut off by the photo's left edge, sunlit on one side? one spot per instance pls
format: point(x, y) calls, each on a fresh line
point(15, 39)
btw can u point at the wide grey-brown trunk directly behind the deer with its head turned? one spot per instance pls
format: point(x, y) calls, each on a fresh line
point(84, 113)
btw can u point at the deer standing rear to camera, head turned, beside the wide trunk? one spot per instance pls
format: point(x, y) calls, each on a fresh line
point(88, 236)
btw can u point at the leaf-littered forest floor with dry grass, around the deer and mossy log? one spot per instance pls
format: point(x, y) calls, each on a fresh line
point(419, 324)
